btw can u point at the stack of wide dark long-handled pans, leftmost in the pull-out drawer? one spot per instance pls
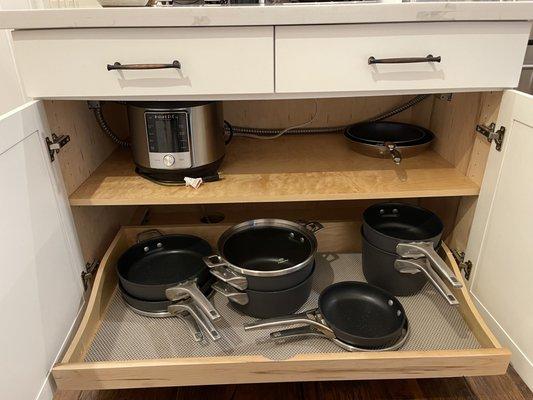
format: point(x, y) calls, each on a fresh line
point(165, 275)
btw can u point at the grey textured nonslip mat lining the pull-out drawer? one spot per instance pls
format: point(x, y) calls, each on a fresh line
point(125, 335)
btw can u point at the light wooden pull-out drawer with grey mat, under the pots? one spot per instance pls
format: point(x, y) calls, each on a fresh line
point(115, 348)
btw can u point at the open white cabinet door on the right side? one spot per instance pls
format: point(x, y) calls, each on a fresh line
point(501, 240)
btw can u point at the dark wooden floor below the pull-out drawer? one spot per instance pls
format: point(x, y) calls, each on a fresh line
point(505, 387)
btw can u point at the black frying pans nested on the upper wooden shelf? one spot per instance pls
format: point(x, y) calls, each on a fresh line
point(388, 139)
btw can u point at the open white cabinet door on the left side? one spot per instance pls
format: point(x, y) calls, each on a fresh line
point(40, 288)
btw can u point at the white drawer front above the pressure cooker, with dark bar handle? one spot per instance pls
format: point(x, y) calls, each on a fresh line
point(72, 63)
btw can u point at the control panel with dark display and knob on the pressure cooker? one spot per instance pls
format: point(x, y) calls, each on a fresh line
point(169, 139)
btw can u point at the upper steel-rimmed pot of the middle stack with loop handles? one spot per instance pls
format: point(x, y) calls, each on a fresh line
point(265, 254)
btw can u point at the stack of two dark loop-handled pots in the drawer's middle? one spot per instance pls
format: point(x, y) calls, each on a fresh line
point(265, 267)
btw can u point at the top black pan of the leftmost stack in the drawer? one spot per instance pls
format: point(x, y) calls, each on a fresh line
point(167, 267)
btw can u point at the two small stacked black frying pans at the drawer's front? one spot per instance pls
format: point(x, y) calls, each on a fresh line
point(354, 313)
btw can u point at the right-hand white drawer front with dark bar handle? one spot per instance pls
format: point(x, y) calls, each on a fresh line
point(334, 58)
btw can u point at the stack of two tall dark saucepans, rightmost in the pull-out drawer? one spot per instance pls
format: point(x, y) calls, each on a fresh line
point(400, 244)
